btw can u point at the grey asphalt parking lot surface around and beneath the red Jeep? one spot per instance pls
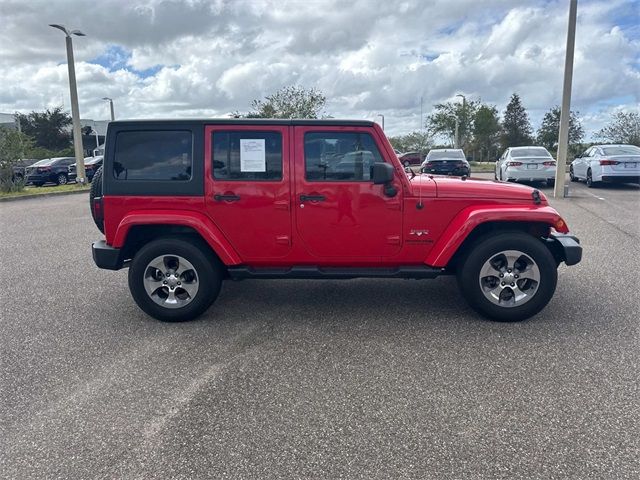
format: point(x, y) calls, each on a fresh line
point(329, 379)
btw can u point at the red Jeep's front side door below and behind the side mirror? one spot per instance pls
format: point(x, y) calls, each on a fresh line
point(339, 212)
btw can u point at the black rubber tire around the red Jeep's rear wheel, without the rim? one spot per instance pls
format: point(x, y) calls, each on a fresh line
point(207, 267)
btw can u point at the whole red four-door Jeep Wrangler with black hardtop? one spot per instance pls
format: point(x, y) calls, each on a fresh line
point(186, 204)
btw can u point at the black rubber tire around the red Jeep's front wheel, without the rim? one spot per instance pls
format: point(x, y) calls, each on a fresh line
point(468, 275)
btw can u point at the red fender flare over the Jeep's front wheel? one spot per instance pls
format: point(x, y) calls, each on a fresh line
point(471, 217)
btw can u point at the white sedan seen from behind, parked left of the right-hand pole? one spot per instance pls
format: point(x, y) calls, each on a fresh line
point(526, 164)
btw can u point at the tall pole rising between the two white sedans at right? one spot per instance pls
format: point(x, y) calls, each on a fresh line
point(563, 140)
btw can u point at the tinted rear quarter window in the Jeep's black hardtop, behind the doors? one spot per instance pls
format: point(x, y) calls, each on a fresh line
point(153, 155)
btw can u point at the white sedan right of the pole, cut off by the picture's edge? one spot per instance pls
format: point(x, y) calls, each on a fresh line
point(607, 163)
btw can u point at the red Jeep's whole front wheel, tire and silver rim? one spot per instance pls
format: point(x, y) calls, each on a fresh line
point(508, 277)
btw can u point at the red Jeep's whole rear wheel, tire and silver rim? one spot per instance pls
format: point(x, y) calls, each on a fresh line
point(174, 280)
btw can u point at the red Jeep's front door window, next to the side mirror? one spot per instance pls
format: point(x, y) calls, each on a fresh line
point(345, 157)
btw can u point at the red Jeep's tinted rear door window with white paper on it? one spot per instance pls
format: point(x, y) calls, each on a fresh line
point(247, 155)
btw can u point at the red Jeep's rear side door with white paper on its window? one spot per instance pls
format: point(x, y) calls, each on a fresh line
point(247, 187)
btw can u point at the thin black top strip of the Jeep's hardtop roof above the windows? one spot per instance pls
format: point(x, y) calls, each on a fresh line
point(247, 121)
